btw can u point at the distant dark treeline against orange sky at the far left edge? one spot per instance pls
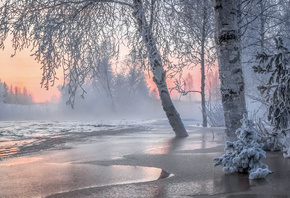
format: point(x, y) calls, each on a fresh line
point(14, 95)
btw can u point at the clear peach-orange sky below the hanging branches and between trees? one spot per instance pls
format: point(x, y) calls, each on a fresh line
point(23, 71)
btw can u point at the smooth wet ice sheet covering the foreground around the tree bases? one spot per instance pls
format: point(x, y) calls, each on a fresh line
point(141, 163)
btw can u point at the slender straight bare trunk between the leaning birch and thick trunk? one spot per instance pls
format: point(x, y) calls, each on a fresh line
point(202, 69)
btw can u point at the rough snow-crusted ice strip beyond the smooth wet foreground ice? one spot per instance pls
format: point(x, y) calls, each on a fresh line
point(19, 138)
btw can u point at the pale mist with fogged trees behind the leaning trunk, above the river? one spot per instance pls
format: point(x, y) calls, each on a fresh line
point(109, 94)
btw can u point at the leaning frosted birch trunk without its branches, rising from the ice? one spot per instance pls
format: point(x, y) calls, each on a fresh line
point(159, 74)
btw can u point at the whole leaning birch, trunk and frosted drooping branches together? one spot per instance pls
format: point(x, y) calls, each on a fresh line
point(68, 34)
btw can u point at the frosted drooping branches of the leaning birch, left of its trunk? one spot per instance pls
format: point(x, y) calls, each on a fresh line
point(65, 34)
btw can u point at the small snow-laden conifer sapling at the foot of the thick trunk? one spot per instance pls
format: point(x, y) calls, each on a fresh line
point(245, 154)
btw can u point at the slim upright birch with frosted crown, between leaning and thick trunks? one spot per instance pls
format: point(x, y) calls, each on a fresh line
point(196, 45)
